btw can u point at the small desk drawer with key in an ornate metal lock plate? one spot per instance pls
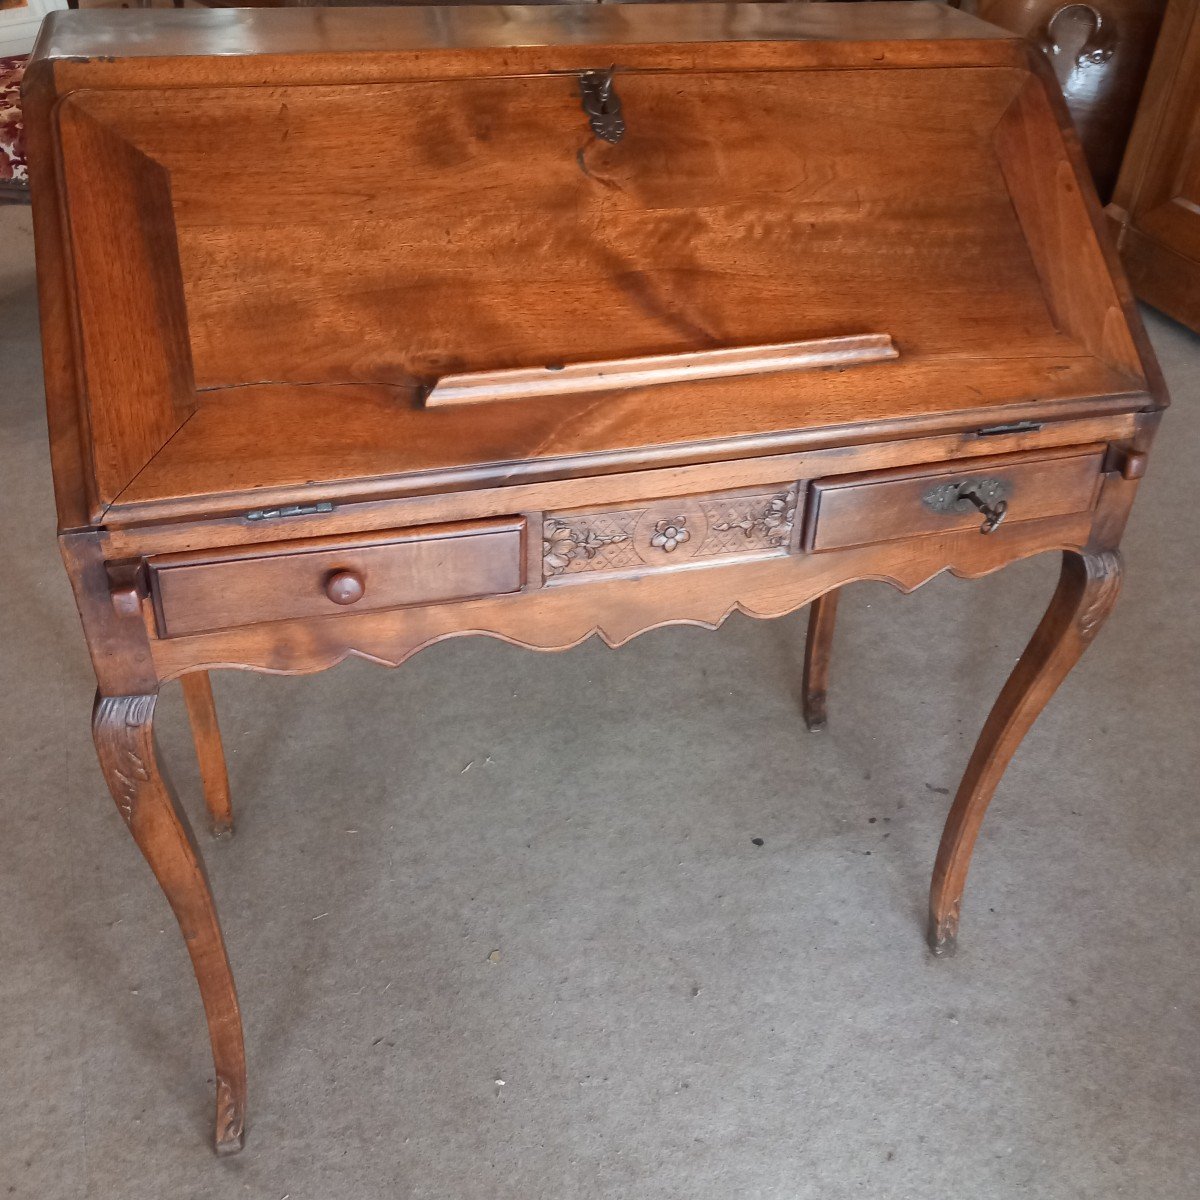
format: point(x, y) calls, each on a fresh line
point(885, 506)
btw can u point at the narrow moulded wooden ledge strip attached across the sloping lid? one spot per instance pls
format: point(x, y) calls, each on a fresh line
point(527, 383)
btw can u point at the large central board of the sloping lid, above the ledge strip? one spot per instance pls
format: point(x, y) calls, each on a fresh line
point(397, 233)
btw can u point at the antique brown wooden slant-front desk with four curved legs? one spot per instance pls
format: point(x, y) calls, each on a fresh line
point(299, 415)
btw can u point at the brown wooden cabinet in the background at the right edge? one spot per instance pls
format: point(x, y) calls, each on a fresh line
point(1156, 207)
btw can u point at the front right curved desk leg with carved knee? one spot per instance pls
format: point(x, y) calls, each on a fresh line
point(1088, 590)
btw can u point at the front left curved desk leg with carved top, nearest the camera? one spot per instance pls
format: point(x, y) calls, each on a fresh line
point(123, 729)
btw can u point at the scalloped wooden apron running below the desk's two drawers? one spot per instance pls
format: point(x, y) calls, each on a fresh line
point(617, 608)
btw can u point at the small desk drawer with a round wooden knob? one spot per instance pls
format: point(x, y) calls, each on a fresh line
point(325, 577)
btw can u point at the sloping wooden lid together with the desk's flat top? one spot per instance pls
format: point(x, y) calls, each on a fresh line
point(320, 215)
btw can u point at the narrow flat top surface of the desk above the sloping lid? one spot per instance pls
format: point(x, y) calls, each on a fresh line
point(104, 35)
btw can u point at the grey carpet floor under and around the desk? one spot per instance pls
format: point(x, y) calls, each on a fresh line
point(673, 1011)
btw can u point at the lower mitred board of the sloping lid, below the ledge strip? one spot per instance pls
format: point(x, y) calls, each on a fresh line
point(376, 441)
